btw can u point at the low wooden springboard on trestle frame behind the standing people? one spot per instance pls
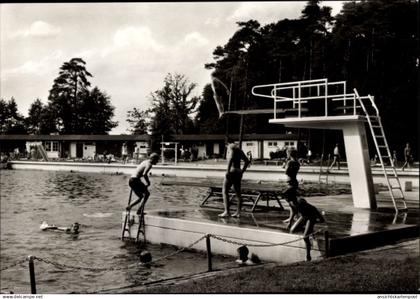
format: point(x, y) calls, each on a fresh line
point(252, 192)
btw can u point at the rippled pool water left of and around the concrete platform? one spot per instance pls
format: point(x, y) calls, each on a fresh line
point(95, 201)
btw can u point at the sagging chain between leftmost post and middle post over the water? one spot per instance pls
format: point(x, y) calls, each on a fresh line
point(64, 266)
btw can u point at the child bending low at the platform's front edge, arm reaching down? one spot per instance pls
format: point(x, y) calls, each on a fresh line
point(309, 216)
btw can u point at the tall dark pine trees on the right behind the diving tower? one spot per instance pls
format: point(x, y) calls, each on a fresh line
point(372, 45)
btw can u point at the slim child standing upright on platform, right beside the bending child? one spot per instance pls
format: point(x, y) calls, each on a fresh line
point(292, 168)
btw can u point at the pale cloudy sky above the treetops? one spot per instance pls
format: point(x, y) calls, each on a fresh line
point(129, 48)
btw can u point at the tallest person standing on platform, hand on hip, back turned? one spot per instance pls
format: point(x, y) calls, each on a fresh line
point(233, 177)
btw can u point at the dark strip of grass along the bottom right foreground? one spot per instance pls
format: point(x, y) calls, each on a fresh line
point(391, 269)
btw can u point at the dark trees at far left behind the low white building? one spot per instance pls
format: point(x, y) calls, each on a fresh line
point(72, 108)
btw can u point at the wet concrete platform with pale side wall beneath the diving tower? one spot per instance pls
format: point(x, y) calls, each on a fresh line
point(349, 229)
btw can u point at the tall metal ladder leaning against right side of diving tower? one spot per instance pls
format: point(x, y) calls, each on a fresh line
point(382, 149)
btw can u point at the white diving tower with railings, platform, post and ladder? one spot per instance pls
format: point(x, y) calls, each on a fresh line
point(320, 104)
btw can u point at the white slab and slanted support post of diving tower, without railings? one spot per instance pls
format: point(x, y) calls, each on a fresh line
point(356, 148)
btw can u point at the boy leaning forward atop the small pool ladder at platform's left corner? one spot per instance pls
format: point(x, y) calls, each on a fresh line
point(136, 184)
